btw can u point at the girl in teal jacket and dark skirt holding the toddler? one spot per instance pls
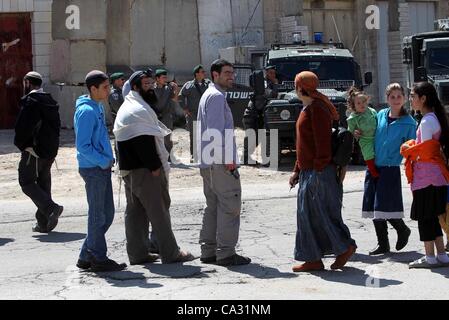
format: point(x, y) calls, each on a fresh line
point(382, 199)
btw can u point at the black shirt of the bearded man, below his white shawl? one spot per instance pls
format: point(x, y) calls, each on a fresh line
point(139, 153)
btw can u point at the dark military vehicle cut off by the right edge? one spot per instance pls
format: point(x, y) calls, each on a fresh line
point(427, 58)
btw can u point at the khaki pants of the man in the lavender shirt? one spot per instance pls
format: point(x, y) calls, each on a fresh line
point(221, 222)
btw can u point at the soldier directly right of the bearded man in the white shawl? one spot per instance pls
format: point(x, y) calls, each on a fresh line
point(165, 93)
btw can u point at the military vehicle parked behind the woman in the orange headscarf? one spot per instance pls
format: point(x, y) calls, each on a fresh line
point(337, 70)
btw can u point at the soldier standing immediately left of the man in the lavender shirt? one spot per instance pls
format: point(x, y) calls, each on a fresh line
point(189, 100)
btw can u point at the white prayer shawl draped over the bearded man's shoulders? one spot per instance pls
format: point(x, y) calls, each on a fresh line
point(136, 118)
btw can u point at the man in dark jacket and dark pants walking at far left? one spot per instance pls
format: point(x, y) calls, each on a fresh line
point(37, 136)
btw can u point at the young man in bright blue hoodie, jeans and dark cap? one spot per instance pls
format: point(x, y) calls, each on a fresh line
point(95, 159)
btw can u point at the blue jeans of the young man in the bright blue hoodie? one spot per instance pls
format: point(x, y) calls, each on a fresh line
point(101, 212)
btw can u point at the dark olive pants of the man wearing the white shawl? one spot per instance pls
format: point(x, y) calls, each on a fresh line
point(148, 201)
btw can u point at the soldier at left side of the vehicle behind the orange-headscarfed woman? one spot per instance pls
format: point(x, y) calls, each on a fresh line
point(253, 117)
